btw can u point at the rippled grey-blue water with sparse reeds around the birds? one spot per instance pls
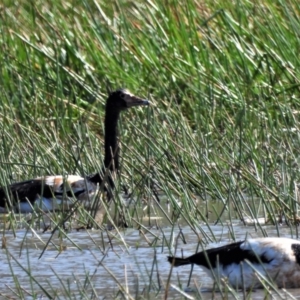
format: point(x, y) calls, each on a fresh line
point(97, 265)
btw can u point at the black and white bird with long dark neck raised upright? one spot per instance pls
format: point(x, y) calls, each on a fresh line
point(49, 192)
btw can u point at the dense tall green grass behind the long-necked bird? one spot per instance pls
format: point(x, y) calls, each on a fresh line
point(223, 128)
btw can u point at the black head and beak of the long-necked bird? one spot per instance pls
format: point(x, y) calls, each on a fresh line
point(122, 99)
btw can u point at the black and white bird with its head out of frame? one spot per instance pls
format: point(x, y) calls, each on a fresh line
point(274, 258)
